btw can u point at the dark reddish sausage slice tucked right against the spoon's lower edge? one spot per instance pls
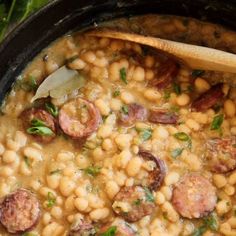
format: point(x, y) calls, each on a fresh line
point(165, 76)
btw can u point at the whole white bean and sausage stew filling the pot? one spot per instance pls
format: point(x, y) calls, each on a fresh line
point(110, 138)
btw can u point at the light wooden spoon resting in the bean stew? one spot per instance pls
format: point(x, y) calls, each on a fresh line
point(196, 57)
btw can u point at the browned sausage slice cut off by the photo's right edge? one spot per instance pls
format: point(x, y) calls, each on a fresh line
point(221, 154)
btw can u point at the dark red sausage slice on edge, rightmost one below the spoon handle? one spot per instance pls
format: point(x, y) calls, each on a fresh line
point(209, 98)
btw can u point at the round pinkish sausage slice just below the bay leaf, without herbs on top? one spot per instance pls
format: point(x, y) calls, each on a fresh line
point(79, 118)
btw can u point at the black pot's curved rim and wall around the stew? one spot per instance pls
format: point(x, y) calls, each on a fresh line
point(62, 16)
